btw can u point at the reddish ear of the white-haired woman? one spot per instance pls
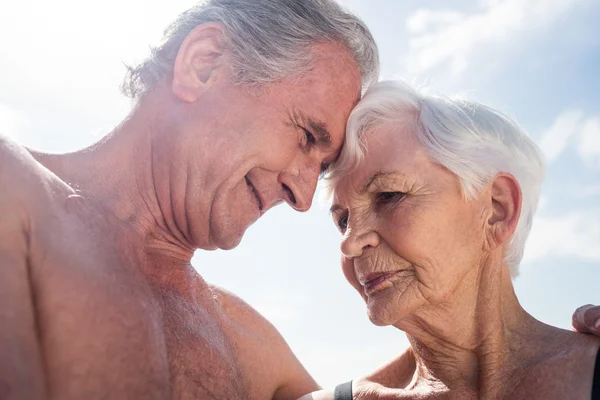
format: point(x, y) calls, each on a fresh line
point(505, 197)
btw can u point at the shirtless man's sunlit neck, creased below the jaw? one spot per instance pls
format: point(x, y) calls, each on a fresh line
point(116, 175)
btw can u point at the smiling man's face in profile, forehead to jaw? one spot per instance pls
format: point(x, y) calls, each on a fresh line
point(247, 150)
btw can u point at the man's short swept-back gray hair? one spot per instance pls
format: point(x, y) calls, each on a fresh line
point(268, 40)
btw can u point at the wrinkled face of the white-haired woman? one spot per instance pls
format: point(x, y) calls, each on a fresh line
point(410, 239)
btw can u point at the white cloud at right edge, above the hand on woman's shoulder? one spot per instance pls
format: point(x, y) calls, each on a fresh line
point(574, 235)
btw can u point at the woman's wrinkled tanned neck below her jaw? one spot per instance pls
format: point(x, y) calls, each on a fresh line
point(476, 340)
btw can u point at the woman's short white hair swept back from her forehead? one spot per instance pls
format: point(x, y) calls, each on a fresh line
point(473, 141)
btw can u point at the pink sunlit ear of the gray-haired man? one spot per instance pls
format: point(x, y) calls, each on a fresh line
point(198, 57)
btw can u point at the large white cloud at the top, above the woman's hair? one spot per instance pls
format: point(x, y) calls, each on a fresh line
point(438, 37)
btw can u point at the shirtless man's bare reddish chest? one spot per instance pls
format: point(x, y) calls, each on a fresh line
point(105, 333)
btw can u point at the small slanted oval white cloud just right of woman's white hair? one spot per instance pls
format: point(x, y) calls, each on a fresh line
point(555, 140)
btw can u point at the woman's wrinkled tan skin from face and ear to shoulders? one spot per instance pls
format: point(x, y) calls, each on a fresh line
point(430, 262)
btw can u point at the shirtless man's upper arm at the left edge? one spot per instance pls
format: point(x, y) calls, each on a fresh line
point(21, 364)
